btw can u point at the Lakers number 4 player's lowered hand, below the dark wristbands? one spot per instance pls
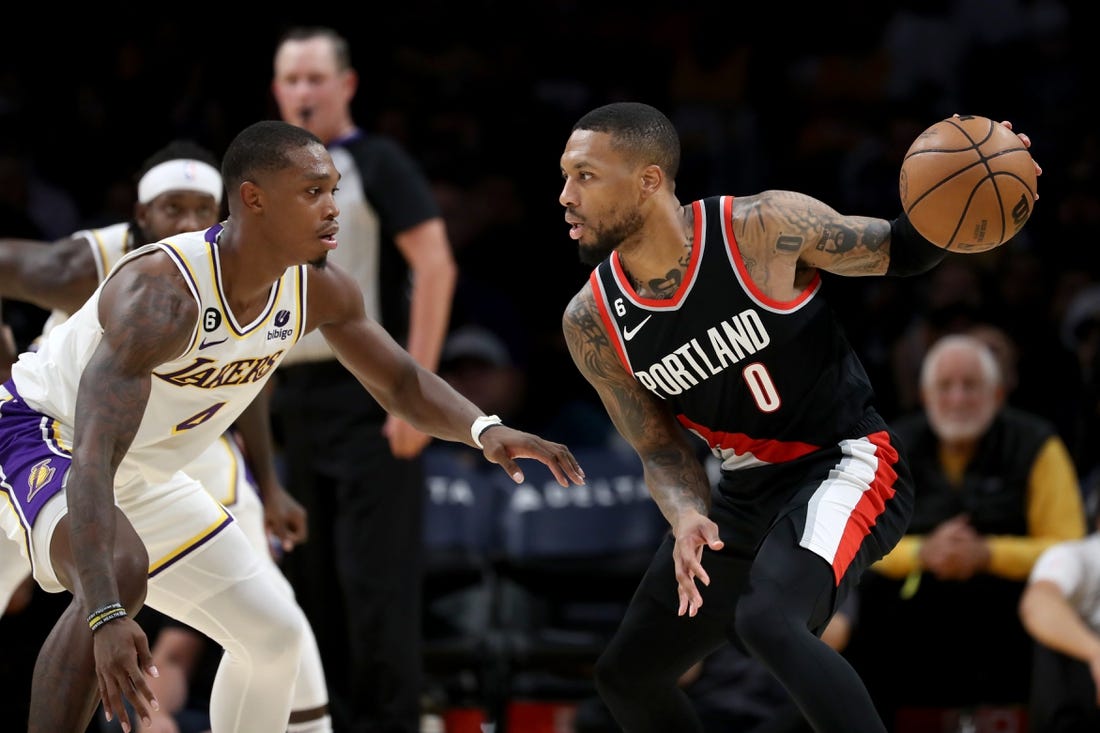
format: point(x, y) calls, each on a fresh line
point(123, 661)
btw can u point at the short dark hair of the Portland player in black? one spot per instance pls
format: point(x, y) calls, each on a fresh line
point(640, 130)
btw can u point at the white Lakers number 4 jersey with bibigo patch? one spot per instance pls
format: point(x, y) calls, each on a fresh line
point(195, 397)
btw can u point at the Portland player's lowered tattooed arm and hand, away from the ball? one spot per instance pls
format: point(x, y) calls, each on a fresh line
point(676, 478)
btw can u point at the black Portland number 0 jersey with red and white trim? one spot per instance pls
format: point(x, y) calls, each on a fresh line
point(760, 380)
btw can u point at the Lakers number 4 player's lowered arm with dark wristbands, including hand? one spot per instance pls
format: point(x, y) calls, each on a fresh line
point(148, 318)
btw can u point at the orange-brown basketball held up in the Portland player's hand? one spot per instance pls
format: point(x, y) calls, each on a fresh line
point(967, 184)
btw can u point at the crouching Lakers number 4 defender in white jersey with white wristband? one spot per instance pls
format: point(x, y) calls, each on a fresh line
point(96, 425)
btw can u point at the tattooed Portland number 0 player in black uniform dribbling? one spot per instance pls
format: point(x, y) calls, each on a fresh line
point(709, 320)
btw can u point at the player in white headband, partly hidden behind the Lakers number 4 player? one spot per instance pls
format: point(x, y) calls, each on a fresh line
point(179, 190)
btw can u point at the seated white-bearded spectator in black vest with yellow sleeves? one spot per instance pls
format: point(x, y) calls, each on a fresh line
point(995, 488)
